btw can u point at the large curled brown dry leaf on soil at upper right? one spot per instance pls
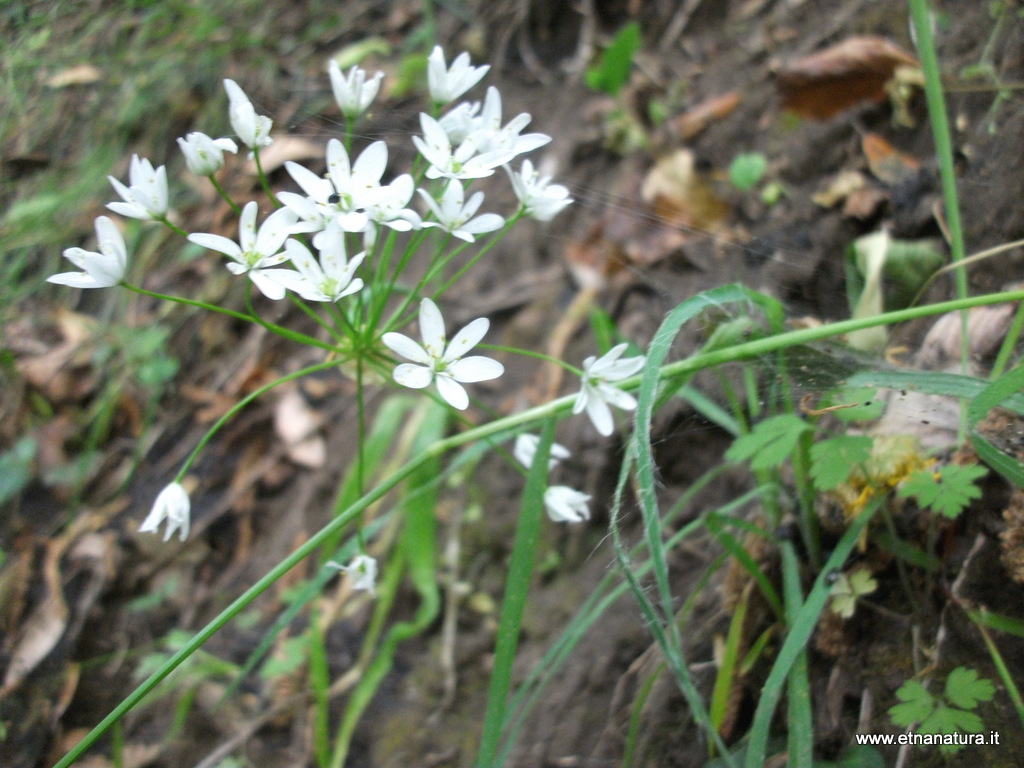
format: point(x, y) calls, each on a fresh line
point(826, 83)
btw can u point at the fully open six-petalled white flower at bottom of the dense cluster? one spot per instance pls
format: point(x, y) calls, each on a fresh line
point(441, 363)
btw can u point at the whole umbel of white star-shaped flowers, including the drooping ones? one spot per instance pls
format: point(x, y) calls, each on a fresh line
point(332, 244)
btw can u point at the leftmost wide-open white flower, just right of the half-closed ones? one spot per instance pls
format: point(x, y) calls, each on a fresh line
point(258, 251)
